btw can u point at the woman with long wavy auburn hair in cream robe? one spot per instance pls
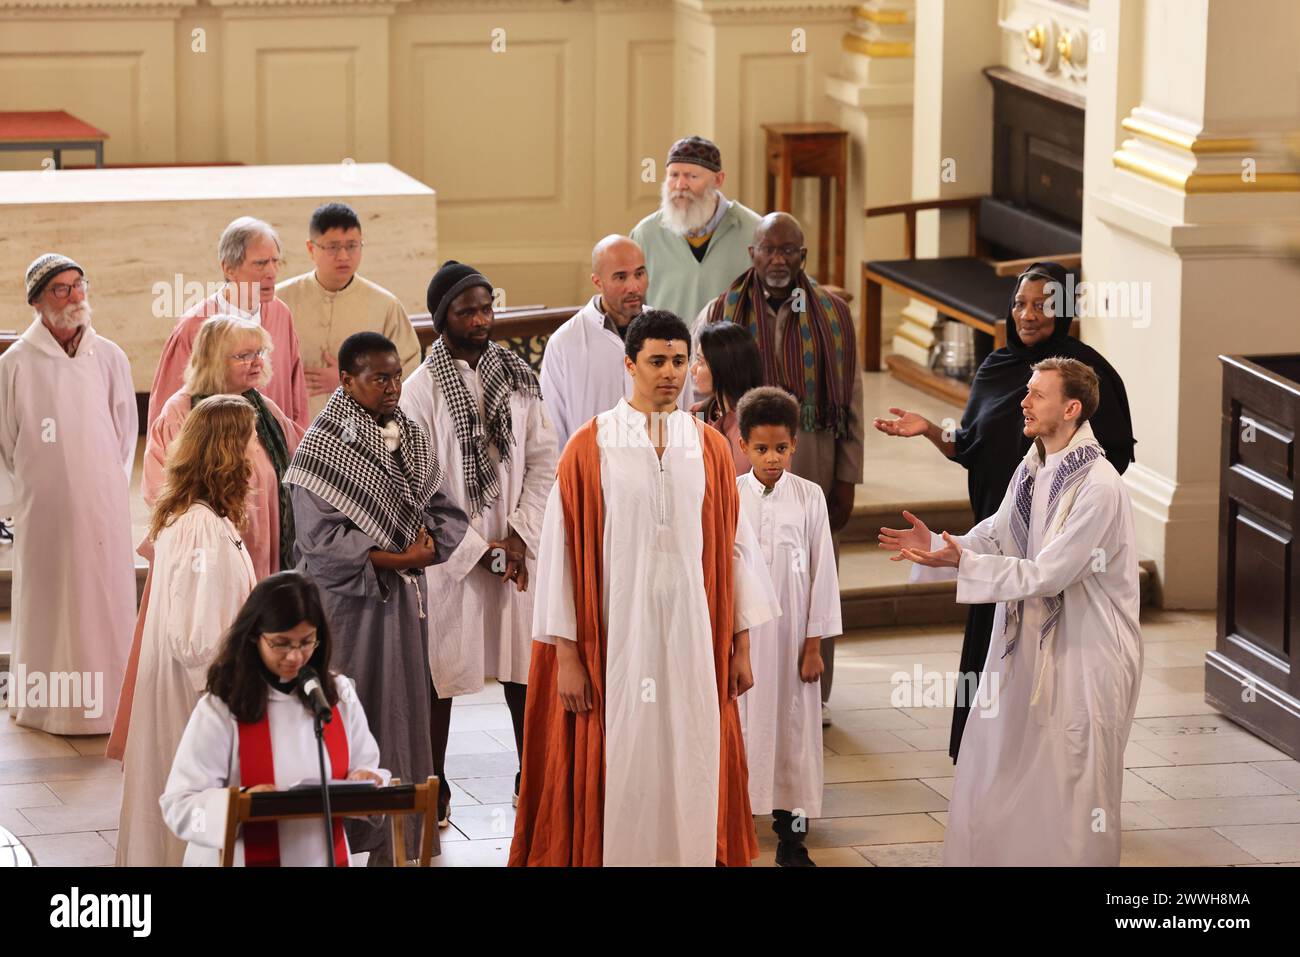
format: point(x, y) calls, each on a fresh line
point(202, 575)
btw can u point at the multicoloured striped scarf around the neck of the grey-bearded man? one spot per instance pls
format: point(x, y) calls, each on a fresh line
point(816, 360)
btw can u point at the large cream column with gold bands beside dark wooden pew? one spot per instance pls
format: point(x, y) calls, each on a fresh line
point(1188, 210)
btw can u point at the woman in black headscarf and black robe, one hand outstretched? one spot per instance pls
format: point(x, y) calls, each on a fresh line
point(991, 441)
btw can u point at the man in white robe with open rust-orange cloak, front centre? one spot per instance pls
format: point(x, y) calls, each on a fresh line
point(634, 747)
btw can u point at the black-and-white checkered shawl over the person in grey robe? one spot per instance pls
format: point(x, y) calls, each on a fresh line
point(344, 460)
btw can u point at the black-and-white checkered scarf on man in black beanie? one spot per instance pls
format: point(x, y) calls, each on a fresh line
point(502, 374)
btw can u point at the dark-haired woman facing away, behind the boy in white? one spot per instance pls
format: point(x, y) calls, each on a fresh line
point(726, 366)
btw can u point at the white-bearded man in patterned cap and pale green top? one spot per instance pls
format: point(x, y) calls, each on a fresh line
point(697, 243)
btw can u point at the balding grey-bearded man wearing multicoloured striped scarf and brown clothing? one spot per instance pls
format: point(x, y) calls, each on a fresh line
point(805, 336)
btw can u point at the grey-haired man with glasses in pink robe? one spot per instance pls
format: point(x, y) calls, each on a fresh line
point(250, 257)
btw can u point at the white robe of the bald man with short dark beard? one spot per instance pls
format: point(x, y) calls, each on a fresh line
point(583, 373)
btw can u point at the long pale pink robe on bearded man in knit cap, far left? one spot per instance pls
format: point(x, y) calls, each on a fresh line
point(68, 430)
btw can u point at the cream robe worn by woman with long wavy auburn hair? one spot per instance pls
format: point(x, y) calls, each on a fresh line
point(201, 582)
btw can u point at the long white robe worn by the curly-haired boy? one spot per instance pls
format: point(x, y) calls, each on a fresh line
point(782, 716)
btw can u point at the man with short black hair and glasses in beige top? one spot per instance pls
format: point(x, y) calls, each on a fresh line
point(332, 302)
